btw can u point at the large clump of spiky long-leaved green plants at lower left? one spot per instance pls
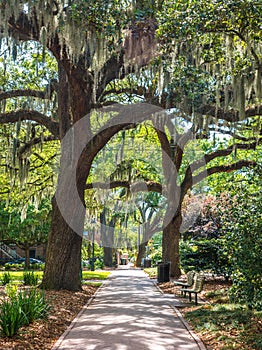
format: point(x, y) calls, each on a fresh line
point(21, 309)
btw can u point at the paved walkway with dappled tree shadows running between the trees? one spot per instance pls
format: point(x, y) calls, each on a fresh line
point(129, 313)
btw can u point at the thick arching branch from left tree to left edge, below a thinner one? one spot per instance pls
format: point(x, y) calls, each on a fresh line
point(13, 117)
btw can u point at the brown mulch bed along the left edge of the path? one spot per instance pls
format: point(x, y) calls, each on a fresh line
point(42, 335)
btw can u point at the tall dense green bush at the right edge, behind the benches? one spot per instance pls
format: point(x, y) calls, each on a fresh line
point(242, 226)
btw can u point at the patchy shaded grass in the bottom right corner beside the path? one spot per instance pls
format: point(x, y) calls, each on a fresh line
point(234, 325)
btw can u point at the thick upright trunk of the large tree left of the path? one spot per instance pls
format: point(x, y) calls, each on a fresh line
point(63, 256)
